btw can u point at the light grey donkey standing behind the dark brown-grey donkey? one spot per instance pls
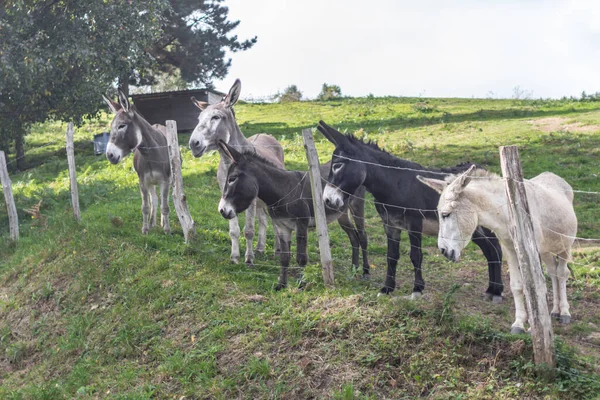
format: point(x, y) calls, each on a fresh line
point(217, 122)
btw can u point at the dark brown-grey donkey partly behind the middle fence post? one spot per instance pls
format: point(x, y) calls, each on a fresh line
point(289, 200)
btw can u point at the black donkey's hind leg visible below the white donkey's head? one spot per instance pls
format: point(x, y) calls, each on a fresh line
point(490, 246)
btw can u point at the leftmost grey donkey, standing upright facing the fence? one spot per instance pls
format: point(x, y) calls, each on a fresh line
point(129, 131)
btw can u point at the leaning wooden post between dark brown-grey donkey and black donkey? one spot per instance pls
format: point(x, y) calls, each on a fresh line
point(320, 217)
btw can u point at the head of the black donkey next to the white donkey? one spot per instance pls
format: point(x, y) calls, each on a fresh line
point(346, 174)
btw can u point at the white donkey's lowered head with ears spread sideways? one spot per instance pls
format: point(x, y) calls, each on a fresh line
point(457, 215)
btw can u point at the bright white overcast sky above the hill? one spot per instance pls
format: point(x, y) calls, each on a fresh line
point(433, 48)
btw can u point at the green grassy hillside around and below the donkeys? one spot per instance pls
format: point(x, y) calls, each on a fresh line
point(96, 310)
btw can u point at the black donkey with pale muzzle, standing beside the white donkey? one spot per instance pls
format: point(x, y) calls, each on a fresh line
point(402, 203)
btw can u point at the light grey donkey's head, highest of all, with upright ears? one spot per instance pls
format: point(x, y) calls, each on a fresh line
point(215, 122)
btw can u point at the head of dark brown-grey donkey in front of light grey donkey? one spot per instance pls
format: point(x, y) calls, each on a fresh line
point(241, 186)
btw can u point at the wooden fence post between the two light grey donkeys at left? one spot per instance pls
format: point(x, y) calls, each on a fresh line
point(185, 218)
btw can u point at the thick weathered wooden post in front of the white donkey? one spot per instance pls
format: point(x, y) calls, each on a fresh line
point(523, 236)
